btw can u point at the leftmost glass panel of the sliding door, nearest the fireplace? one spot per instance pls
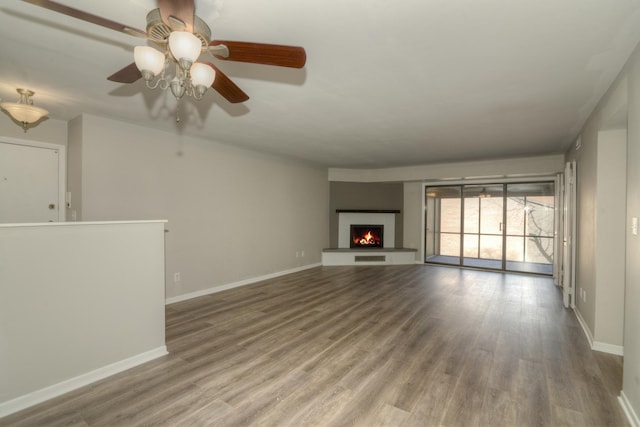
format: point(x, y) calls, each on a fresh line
point(443, 224)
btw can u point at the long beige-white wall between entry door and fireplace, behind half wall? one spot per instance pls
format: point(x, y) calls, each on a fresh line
point(233, 214)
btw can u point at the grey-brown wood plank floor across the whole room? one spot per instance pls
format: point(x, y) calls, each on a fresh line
point(361, 346)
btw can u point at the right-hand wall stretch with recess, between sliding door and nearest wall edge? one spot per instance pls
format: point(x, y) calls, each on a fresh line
point(600, 238)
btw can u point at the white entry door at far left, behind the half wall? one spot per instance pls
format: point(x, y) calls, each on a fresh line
point(29, 184)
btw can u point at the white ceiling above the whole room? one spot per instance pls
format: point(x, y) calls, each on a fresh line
point(385, 84)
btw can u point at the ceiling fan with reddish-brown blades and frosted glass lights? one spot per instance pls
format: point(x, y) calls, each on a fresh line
point(175, 29)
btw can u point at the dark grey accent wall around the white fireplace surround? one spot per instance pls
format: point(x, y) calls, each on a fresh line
point(363, 196)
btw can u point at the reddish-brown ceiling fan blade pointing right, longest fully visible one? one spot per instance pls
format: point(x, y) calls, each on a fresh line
point(259, 53)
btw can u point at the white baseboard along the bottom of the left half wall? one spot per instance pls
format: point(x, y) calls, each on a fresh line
point(39, 396)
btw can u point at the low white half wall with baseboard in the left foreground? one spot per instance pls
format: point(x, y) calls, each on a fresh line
point(77, 302)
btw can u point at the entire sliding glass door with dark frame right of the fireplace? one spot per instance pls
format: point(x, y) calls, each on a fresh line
point(496, 226)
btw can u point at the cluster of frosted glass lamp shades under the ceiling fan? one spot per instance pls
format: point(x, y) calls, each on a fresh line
point(183, 49)
